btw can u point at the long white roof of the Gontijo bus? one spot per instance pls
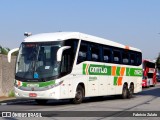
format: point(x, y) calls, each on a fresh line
point(58, 36)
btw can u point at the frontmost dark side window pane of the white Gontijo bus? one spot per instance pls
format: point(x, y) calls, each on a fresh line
point(82, 54)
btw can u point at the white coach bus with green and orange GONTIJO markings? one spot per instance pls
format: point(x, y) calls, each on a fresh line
point(73, 65)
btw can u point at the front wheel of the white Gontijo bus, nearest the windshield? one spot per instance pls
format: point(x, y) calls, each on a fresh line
point(79, 95)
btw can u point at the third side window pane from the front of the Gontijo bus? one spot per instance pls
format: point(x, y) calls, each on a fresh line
point(107, 55)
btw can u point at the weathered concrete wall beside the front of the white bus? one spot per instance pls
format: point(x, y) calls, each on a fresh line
point(6, 75)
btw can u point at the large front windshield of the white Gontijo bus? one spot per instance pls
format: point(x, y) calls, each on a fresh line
point(38, 60)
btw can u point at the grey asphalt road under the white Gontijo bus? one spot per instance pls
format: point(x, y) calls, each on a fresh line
point(147, 100)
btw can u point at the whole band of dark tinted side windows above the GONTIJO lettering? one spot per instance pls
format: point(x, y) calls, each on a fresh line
point(103, 53)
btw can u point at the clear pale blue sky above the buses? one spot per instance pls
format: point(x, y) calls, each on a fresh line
point(130, 22)
